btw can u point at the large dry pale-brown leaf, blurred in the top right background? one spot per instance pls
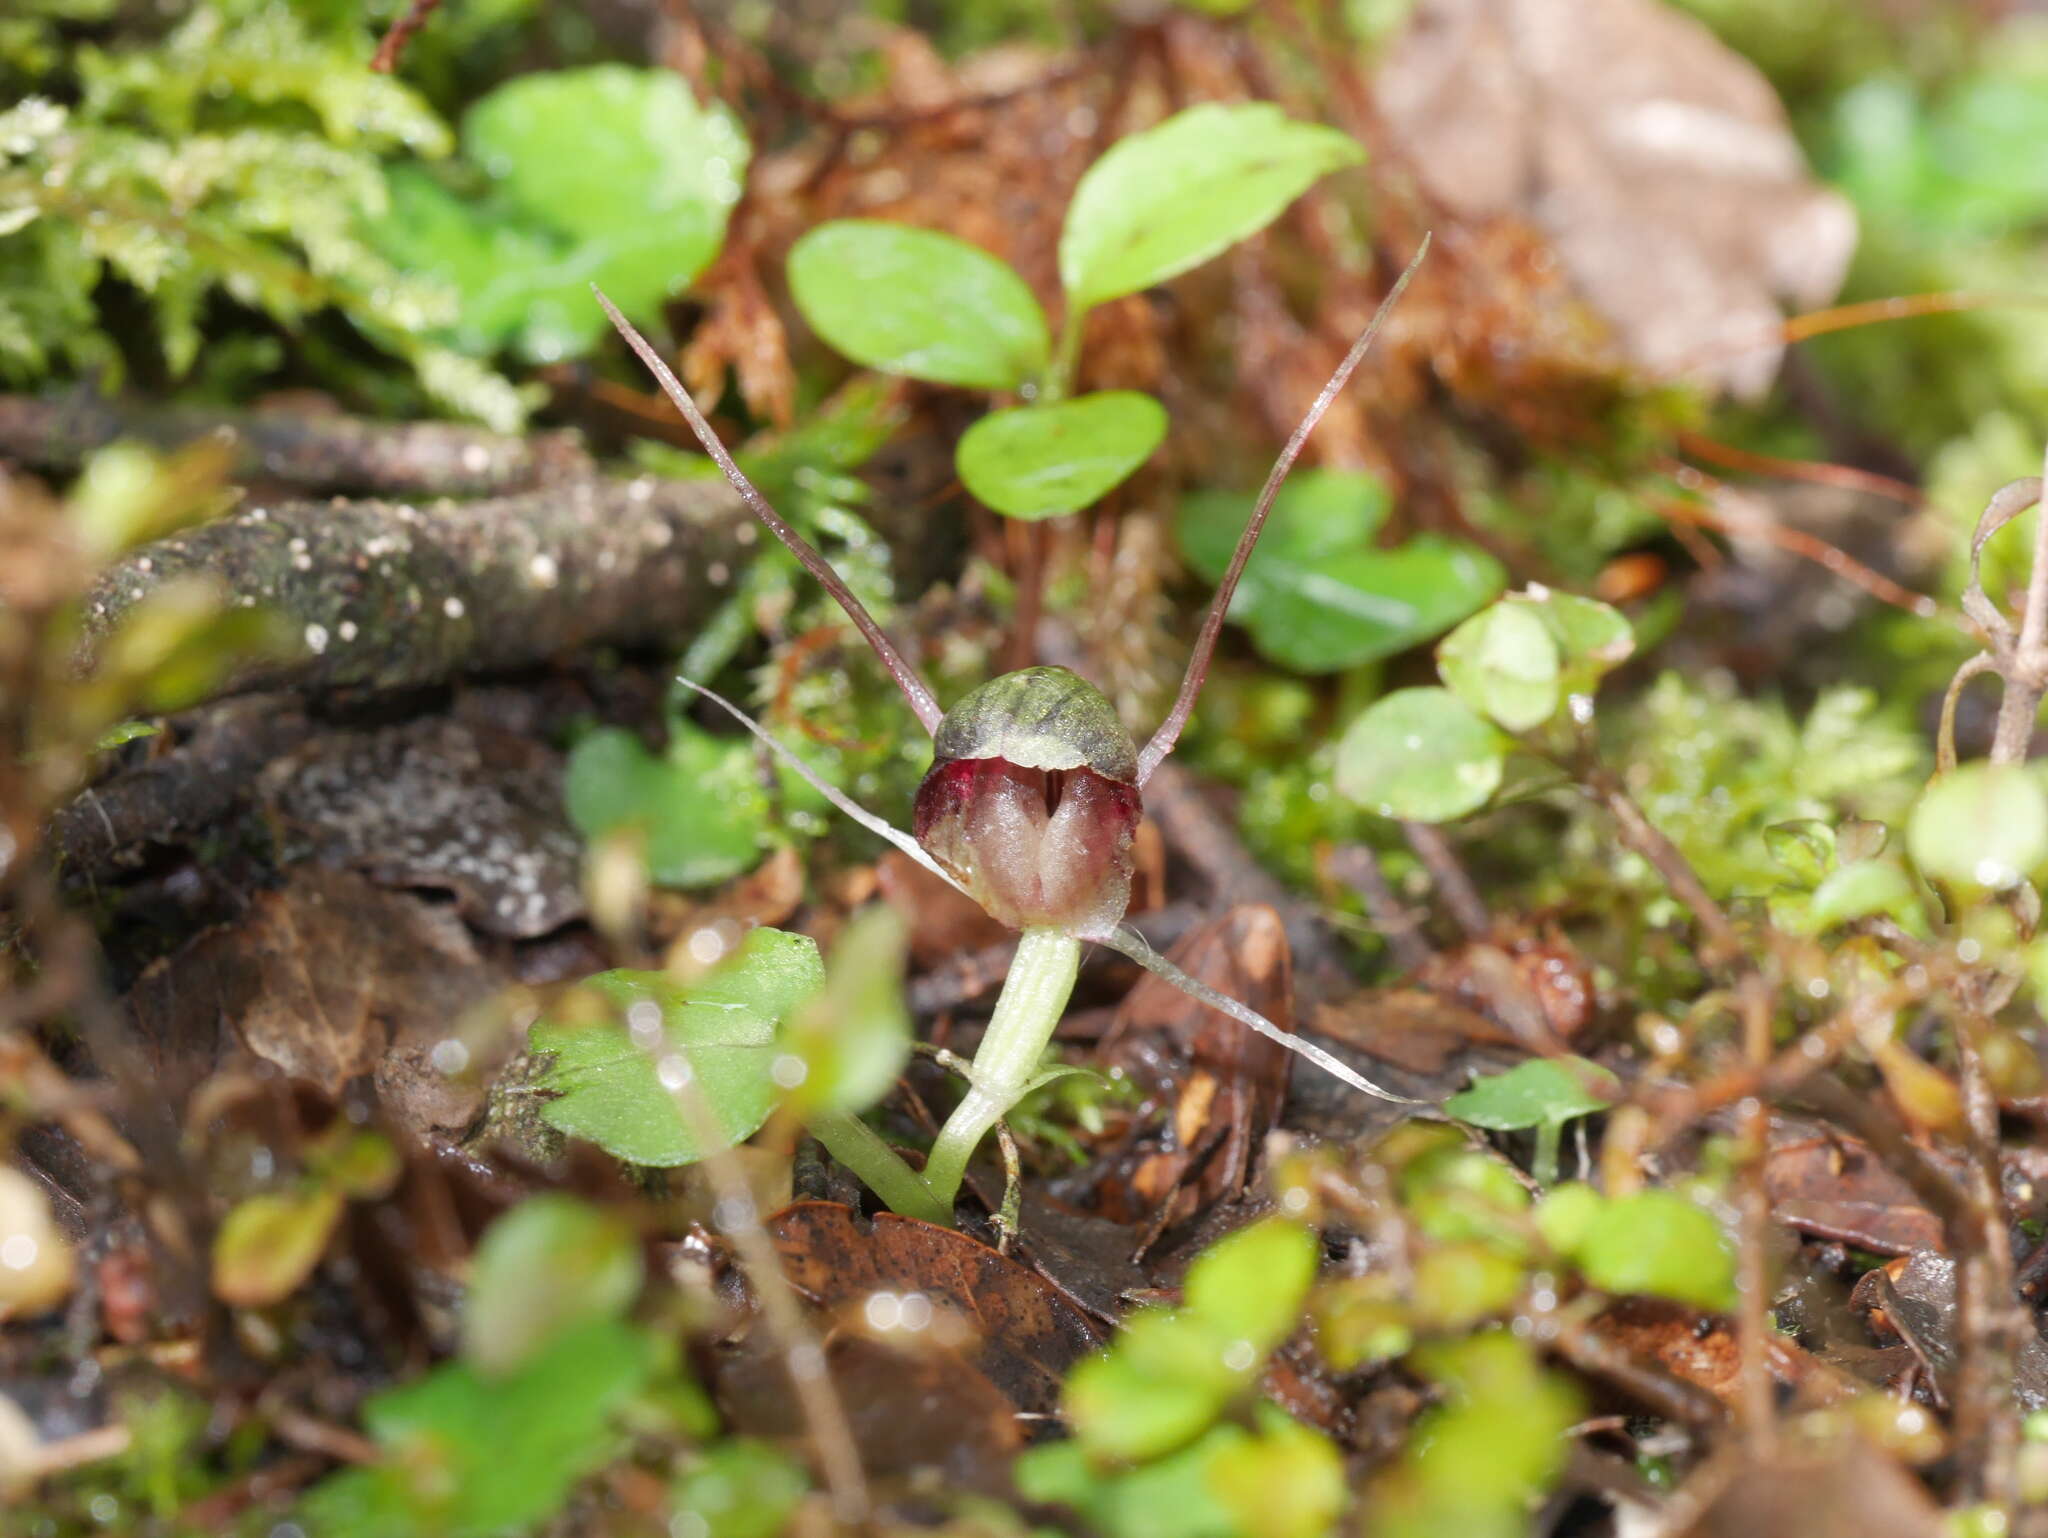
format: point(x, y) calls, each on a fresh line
point(1658, 163)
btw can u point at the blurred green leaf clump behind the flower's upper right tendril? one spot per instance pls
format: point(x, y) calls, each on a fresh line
point(1318, 595)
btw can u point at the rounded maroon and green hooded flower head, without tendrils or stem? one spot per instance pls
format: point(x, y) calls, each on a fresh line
point(1033, 800)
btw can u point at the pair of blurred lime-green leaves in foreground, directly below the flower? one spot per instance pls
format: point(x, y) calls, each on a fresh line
point(1175, 1371)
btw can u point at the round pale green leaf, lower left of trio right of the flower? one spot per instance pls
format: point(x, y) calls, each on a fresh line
point(1420, 755)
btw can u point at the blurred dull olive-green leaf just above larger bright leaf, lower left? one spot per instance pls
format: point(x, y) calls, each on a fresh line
point(546, 1267)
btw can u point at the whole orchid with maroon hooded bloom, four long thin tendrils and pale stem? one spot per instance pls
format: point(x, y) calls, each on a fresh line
point(1031, 804)
